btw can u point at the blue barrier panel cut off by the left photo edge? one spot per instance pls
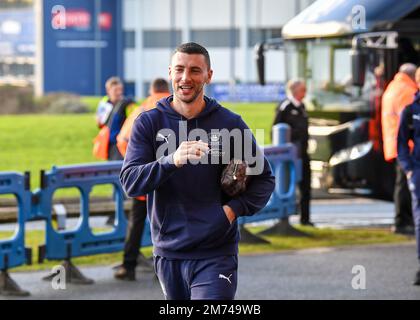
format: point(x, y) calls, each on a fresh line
point(12, 251)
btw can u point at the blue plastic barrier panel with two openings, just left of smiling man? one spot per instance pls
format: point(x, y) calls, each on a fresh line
point(81, 241)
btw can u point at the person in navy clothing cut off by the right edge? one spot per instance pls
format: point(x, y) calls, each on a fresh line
point(409, 129)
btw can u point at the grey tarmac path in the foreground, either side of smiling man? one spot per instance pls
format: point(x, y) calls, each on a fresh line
point(308, 274)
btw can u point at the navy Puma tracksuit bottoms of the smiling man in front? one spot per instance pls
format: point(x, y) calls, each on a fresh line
point(212, 278)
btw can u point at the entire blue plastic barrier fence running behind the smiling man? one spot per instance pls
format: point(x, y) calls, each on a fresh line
point(65, 244)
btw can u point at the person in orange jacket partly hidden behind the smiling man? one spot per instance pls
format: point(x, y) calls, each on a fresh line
point(132, 257)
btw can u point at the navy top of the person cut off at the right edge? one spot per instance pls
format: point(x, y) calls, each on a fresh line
point(410, 129)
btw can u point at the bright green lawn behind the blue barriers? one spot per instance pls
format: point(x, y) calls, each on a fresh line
point(36, 142)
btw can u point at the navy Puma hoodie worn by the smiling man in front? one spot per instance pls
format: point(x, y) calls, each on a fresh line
point(185, 204)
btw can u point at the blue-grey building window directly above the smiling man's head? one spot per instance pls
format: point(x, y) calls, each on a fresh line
point(216, 38)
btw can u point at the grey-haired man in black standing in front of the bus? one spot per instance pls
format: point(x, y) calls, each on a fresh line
point(292, 111)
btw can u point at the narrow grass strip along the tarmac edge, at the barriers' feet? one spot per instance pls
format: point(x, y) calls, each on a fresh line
point(317, 238)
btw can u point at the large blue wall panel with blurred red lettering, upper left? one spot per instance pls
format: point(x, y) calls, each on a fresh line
point(81, 48)
